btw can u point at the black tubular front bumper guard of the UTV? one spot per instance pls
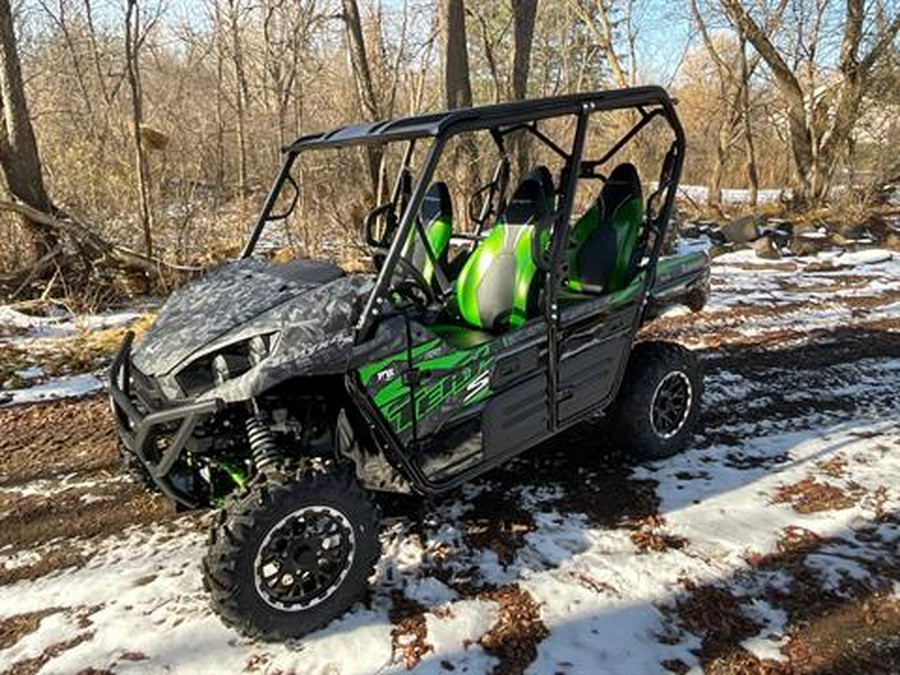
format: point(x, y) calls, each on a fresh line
point(139, 431)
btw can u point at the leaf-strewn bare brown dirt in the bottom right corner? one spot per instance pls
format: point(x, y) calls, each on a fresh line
point(851, 628)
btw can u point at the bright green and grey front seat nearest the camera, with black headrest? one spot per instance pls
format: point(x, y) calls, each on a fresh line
point(495, 290)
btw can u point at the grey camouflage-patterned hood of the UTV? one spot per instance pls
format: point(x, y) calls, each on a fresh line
point(230, 300)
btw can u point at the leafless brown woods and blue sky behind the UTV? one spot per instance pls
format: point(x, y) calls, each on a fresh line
point(143, 134)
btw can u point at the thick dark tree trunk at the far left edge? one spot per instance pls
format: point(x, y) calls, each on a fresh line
point(19, 156)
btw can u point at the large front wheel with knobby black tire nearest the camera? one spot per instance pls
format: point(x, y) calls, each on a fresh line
point(291, 553)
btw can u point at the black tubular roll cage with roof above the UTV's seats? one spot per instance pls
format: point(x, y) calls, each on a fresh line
point(500, 119)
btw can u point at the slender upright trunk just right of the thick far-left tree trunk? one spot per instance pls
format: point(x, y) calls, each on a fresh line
point(142, 165)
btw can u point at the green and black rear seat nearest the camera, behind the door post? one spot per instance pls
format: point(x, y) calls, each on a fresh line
point(602, 242)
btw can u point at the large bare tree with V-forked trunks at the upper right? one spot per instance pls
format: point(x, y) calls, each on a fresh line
point(819, 130)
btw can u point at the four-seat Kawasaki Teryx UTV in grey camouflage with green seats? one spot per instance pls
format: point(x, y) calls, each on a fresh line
point(290, 395)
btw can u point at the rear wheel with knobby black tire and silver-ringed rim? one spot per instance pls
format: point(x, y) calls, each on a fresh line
point(658, 404)
